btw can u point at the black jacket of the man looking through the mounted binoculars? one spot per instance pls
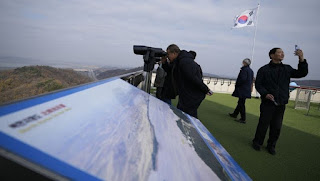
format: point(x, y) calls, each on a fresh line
point(191, 88)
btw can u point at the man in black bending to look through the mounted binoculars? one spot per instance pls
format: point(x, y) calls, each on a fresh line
point(187, 76)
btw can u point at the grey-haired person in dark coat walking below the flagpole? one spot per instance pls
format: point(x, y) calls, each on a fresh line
point(243, 90)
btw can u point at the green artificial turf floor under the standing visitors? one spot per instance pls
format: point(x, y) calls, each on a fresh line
point(298, 148)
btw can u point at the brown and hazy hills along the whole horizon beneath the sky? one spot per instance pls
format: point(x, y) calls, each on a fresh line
point(19, 83)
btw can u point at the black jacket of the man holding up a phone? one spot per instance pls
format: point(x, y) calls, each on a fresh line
point(275, 79)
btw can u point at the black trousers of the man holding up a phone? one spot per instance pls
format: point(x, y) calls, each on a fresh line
point(270, 116)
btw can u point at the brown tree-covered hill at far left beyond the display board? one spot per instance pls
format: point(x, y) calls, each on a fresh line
point(29, 81)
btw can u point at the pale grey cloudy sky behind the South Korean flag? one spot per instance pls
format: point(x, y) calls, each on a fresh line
point(96, 32)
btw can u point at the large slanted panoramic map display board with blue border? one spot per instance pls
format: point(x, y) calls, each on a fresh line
point(111, 130)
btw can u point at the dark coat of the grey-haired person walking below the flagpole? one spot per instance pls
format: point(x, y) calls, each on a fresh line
point(243, 83)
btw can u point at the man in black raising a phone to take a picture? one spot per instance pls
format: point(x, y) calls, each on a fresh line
point(273, 85)
